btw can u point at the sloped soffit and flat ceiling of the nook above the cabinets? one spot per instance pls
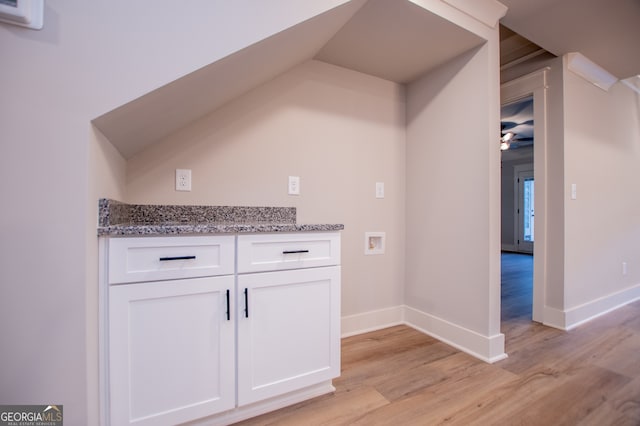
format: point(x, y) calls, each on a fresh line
point(391, 39)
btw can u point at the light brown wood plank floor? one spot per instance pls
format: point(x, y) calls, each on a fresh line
point(399, 376)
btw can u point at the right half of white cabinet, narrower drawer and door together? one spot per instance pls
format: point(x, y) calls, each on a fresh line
point(289, 319)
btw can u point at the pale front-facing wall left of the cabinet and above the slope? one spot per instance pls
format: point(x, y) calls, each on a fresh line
point(90, 58)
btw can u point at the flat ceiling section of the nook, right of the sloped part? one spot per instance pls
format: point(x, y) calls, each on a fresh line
point(396, 40)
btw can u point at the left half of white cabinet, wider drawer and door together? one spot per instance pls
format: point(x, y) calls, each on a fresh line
point(171, 332)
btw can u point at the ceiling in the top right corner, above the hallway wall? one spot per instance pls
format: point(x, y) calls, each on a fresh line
point(605, 31)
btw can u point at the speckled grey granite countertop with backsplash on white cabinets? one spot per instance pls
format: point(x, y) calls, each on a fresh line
point(120, 219)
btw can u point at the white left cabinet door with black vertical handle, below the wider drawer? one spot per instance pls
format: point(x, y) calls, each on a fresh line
point(172, 355)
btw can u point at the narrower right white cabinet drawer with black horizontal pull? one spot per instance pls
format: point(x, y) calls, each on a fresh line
point(272, 252)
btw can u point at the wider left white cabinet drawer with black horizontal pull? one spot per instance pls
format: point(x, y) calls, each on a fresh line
point(165, 258)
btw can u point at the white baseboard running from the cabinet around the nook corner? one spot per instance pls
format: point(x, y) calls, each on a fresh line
point(489, 349)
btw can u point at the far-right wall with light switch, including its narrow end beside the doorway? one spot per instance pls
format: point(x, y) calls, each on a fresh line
point(593, 140)
